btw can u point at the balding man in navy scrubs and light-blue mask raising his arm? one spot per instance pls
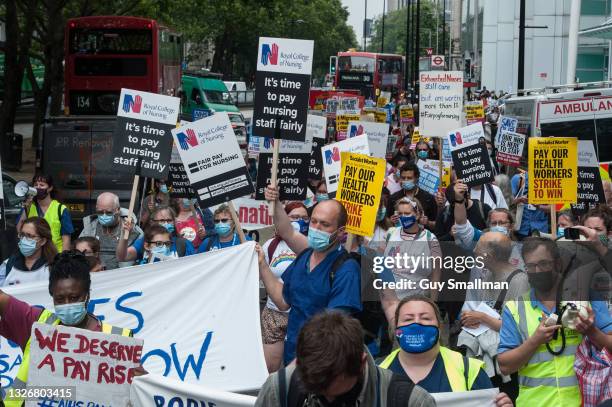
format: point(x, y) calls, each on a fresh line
point(322, 276)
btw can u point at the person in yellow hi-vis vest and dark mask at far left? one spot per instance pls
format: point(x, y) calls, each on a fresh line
point(55, 213)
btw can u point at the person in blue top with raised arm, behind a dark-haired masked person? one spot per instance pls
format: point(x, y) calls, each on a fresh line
point(165, 217)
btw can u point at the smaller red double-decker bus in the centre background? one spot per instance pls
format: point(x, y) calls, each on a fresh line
point(370, 72)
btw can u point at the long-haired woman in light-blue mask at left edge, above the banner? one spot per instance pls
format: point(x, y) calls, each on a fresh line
point(36, 251)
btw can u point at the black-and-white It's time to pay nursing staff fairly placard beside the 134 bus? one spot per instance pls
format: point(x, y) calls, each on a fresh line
point(141, 140)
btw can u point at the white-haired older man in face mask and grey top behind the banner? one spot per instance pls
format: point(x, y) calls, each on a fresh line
point(106, 227)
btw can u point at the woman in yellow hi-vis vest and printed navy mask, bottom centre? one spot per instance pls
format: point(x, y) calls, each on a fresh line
point(428, 364)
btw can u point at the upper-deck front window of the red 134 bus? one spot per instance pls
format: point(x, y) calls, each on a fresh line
point(98, 41)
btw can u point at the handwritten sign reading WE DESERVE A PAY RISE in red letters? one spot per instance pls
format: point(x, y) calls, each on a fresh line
point(99, 366)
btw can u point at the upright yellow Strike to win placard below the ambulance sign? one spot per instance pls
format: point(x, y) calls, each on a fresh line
point(552, 172)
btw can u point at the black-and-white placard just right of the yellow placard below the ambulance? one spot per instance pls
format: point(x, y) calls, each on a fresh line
point(590, 186)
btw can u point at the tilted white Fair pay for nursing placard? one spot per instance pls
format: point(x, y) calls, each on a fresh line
point(211, 155)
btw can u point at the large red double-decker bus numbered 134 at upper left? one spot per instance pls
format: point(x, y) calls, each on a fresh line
point(107, 53)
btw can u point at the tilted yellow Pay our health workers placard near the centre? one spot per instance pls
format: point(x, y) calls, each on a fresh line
point(359, 190)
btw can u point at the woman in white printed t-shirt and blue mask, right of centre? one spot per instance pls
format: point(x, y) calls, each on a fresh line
point(411, 238)
